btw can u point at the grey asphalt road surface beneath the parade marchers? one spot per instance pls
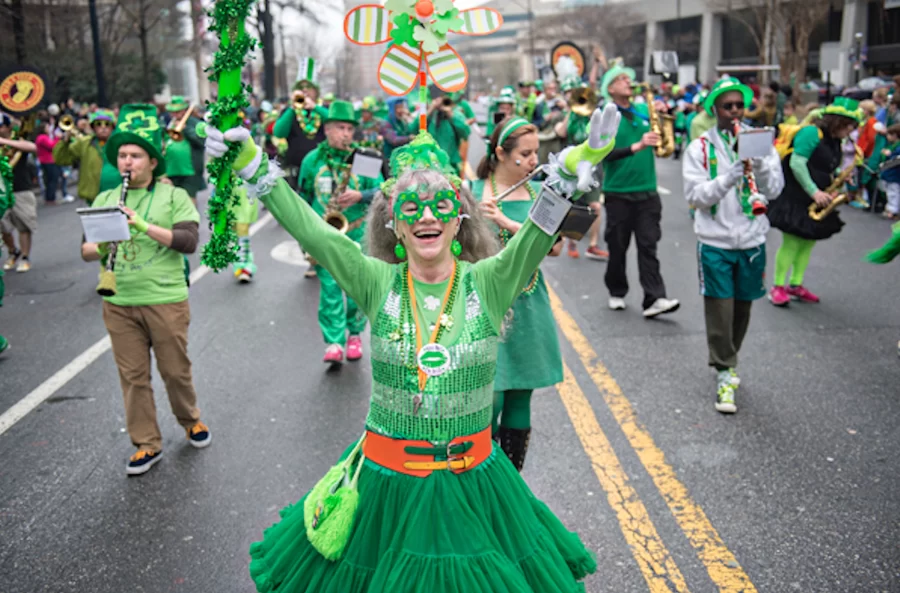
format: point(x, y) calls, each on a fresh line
point(797, 492)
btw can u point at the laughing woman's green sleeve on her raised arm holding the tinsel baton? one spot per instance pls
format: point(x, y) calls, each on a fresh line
point(365, 279)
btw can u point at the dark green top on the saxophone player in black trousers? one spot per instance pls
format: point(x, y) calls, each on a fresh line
point(636, 173)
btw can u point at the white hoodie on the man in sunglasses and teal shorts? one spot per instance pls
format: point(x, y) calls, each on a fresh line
point(730, 228)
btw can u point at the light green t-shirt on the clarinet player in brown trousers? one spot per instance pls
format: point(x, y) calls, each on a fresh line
point(148, 272)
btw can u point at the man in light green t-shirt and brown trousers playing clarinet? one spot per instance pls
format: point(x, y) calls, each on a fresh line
point(150, 306)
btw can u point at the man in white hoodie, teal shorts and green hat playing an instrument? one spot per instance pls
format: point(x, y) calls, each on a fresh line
point(731, 249)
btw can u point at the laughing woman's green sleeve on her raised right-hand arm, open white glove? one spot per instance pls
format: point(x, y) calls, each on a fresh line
point(499, 279)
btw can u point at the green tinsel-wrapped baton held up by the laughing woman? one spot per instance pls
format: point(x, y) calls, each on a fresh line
point(228, 18)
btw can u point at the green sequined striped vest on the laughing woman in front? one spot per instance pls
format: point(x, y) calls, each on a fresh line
point(457, 403)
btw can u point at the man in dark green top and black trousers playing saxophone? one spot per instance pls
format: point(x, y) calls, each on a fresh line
point(632, 203)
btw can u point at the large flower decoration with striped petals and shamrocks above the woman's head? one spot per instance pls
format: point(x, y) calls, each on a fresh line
point(417, 31)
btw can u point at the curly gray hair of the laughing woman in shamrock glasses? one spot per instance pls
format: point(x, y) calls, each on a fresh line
point(475, 235)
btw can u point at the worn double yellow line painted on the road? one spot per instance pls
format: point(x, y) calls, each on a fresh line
point(656, 564)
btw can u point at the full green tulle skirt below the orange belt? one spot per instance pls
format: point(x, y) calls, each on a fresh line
point(481, 531)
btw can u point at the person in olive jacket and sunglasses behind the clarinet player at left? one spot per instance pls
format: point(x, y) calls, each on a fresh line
point(95, 173)
